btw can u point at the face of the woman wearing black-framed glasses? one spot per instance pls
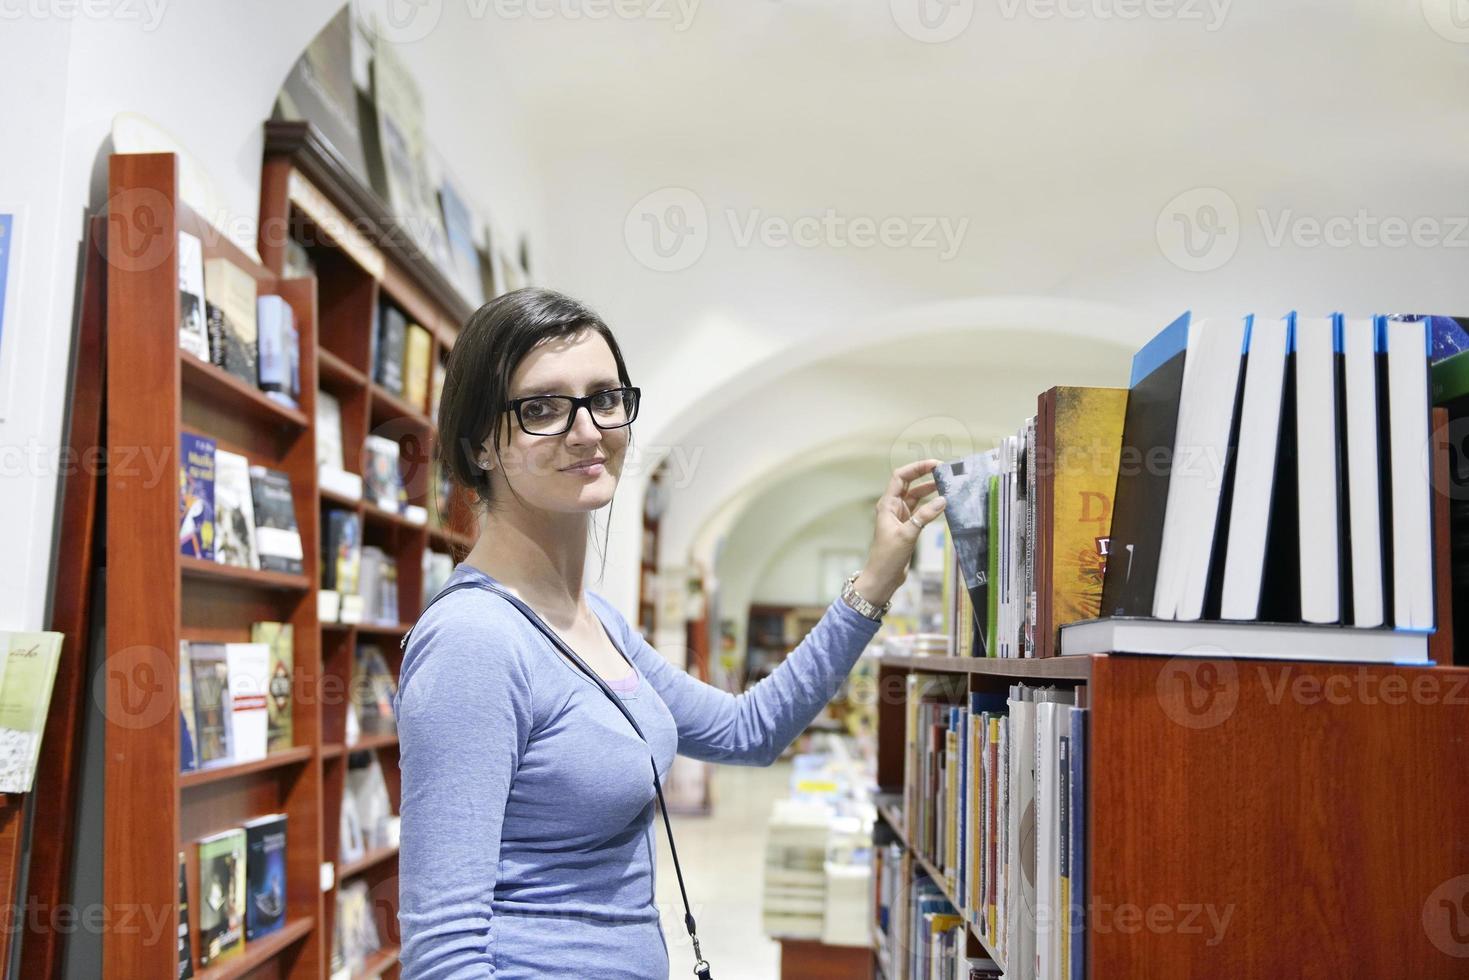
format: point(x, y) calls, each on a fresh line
point(543, 468)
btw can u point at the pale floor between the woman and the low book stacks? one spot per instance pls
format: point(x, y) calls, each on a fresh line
point(723, 859)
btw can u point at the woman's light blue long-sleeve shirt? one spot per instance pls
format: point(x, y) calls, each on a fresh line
point(528, 806)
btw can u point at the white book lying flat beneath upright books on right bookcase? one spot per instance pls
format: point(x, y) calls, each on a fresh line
point(1276, 641)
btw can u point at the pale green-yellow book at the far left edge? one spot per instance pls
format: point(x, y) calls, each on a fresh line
point(26, 699)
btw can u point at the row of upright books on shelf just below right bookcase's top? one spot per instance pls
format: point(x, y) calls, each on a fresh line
point(995, 799)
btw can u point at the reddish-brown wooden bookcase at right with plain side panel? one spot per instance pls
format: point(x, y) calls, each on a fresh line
point(1323, 819)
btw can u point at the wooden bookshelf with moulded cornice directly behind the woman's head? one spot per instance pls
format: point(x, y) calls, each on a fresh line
point(364, 258)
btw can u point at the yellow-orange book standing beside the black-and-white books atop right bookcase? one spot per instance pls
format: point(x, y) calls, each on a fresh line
point(1089, 444)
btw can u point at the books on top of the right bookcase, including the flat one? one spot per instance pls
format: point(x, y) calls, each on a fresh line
point(1264, 487)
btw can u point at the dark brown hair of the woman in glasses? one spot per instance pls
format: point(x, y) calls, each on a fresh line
point(477, 378)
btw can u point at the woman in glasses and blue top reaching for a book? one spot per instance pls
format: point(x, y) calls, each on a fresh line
point(528, 806)
